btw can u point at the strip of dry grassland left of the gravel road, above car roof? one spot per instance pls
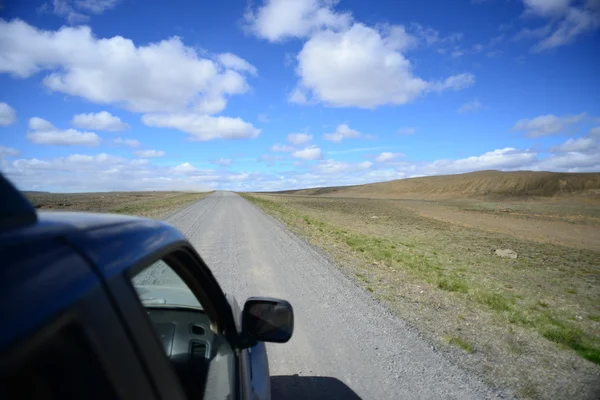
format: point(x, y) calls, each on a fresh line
point(143, 204)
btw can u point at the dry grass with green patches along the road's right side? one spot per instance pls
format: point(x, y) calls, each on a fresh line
point(531, 324)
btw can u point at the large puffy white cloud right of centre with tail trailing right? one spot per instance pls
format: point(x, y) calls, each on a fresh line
point(362, 67)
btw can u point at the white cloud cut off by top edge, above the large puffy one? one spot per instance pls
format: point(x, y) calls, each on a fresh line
point(277, 20)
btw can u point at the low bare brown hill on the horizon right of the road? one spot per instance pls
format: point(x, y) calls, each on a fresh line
point(490, 184)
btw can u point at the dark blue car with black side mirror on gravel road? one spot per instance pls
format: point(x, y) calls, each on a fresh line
point(114, 307)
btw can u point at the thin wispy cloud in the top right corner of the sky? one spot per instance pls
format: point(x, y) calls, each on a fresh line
point(567, 20)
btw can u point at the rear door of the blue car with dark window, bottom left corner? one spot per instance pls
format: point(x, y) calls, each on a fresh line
point(62, 338)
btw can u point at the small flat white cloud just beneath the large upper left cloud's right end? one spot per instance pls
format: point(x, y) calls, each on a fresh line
point(204, 127)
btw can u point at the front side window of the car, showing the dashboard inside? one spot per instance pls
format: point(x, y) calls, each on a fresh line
point(202, 358)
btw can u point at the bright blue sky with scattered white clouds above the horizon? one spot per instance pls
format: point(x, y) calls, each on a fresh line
point(128, 95)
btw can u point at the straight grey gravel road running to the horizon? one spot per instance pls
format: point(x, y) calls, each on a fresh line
point(345, 345)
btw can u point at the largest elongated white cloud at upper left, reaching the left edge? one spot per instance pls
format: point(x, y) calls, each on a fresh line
point(166, 76)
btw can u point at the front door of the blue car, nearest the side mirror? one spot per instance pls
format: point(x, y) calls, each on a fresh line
point(182, 324)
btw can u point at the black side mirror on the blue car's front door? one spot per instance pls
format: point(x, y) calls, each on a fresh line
point(266, 319)
